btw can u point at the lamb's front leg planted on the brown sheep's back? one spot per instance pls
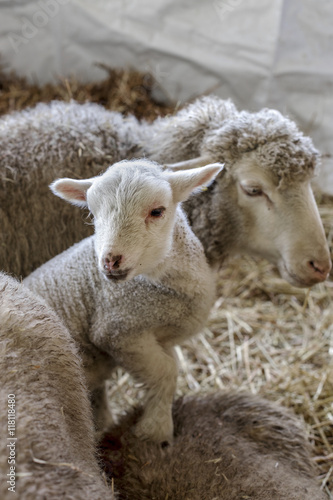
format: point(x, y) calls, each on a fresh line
point(156, 368)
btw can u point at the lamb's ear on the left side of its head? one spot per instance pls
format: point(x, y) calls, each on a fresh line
point(72, 190)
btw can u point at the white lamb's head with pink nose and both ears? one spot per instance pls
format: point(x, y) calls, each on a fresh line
point(134, 206)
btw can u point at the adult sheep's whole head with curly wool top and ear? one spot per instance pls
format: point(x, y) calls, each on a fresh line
point(265, 195)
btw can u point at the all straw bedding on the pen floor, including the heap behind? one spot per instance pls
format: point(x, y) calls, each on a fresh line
point(263, 335)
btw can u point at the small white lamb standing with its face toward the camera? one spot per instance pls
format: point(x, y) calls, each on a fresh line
point(137, 287)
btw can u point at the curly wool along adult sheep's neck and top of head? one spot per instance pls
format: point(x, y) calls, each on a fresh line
point(214, 127)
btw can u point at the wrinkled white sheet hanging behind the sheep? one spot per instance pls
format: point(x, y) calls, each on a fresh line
point(276, 53)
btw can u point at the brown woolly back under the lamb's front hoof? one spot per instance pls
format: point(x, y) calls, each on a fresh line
point(227, 446)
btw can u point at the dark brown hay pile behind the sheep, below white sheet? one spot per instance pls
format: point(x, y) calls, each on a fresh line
point(123, 91)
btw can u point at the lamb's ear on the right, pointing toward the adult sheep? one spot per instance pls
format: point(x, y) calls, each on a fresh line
point(184, 182)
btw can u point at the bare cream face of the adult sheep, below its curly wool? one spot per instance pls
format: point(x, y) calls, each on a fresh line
point(281, 222)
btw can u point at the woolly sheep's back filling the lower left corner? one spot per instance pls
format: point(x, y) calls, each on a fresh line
point(49, 450)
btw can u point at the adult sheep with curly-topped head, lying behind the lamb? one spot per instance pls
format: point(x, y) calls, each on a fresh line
point(262, 205)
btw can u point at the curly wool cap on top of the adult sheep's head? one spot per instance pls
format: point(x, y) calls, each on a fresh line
point(280, 147)
